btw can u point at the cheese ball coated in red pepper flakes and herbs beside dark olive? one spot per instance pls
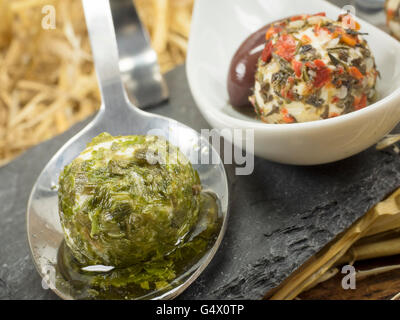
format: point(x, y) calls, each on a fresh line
point(313, 68)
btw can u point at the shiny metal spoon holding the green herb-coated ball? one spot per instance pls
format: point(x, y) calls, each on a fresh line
point(118, 117)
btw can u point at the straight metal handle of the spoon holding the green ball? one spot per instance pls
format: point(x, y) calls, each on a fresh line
point(105, 53)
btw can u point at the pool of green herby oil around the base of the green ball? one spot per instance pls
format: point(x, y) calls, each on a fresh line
point(151, 278)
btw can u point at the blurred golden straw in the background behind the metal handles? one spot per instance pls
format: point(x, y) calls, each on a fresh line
point(47, 79)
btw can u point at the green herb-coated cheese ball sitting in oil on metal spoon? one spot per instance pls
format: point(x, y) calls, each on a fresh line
point(127, 199)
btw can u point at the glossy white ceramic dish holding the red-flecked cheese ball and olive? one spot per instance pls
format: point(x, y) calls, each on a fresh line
point(219, 27)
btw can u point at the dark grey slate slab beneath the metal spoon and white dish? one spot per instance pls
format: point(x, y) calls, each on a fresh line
point(280, 215)
